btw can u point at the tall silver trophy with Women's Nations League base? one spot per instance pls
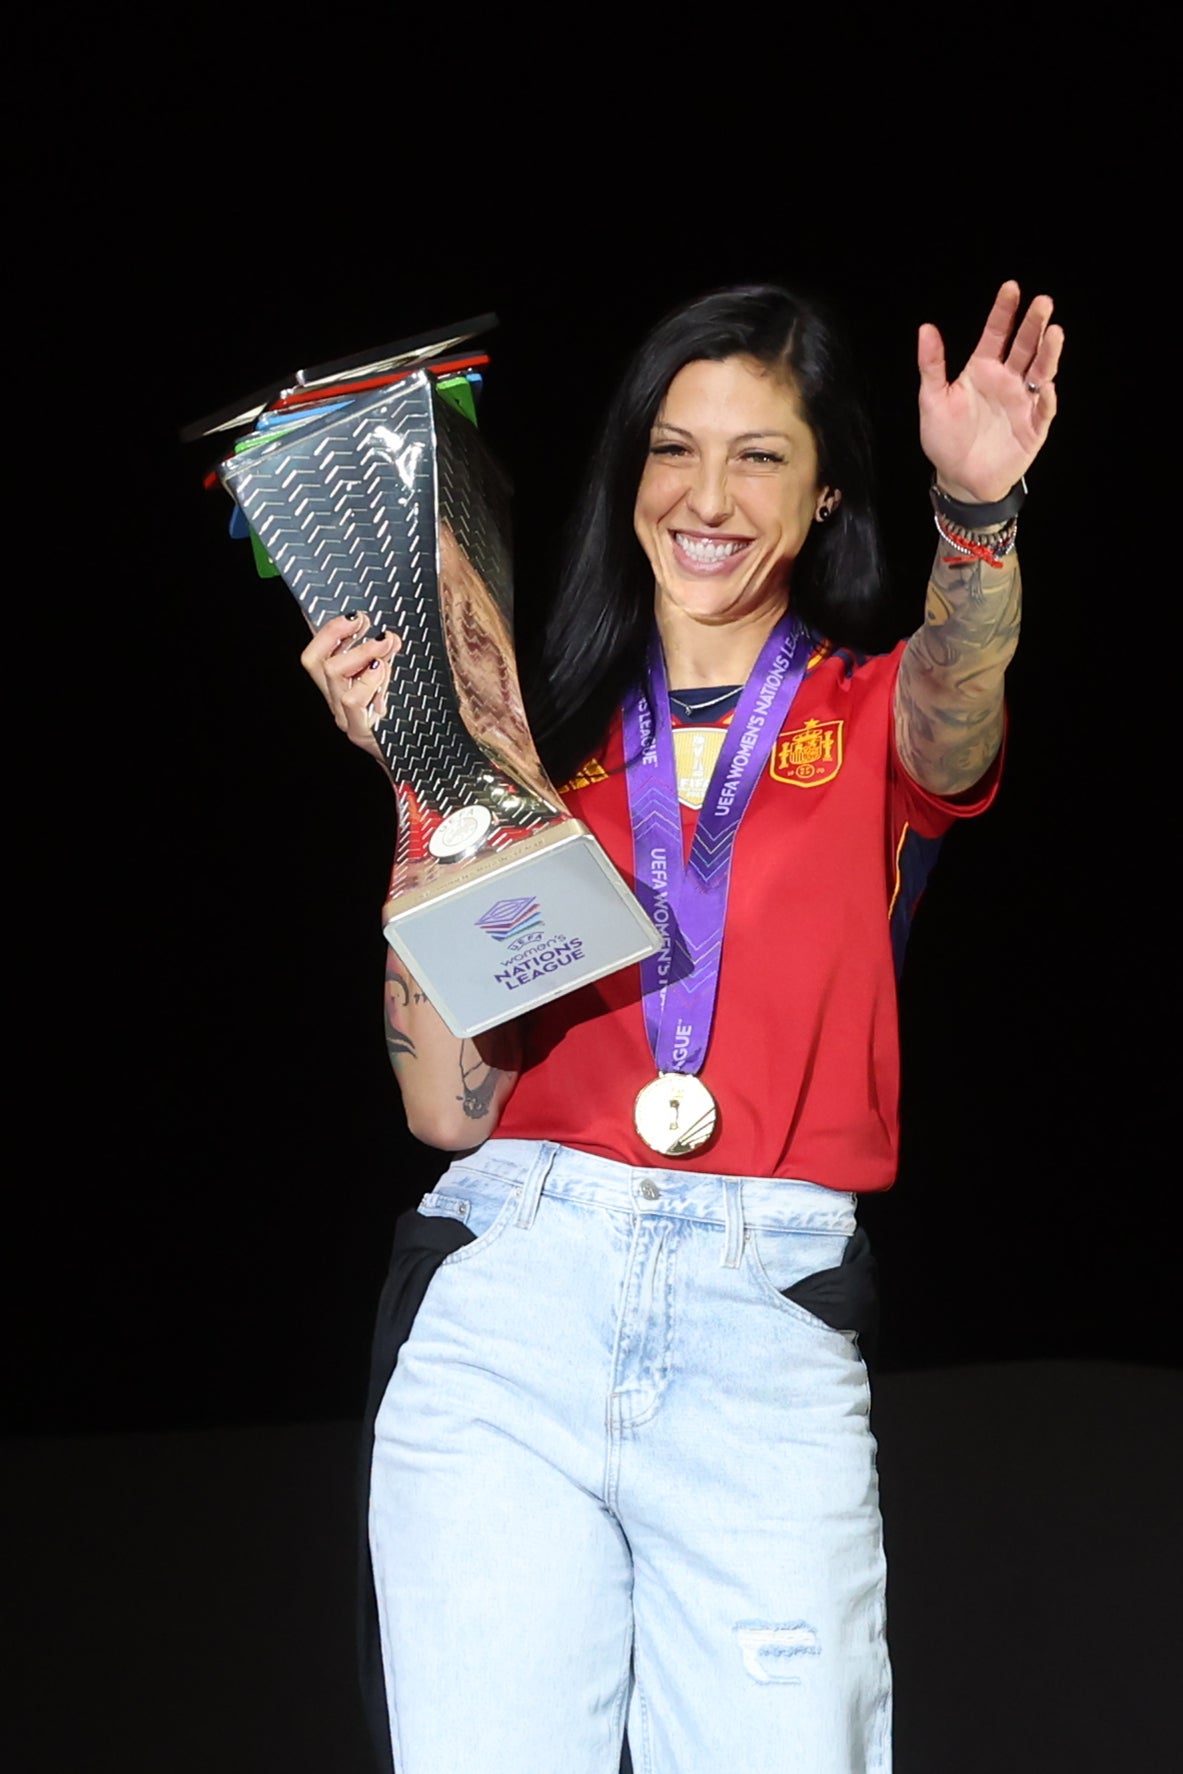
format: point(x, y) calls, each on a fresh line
point(386, 501)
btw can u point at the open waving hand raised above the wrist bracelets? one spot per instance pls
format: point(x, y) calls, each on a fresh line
point(983, 432)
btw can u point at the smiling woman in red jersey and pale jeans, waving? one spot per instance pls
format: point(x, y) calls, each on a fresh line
point(623, 1472)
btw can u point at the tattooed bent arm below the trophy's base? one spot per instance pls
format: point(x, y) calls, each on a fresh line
point(453, 1090)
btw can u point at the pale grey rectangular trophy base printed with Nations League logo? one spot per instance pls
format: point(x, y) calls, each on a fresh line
point(521, 929)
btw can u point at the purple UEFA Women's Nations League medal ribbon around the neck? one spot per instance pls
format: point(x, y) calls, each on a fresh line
point(689, 902)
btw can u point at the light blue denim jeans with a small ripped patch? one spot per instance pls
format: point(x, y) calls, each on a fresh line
point(620, 1479)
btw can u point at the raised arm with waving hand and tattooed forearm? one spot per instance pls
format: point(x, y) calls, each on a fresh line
point(982, 434)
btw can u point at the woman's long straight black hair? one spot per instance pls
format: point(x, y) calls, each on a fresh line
point(599, 627)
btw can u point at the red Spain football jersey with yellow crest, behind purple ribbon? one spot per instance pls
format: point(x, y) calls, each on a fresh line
point(829, 865)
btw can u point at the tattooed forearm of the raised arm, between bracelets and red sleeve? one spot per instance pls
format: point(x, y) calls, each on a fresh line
point(950, 693)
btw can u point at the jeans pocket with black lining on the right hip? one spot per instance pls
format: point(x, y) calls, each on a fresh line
point(826, 1280)
